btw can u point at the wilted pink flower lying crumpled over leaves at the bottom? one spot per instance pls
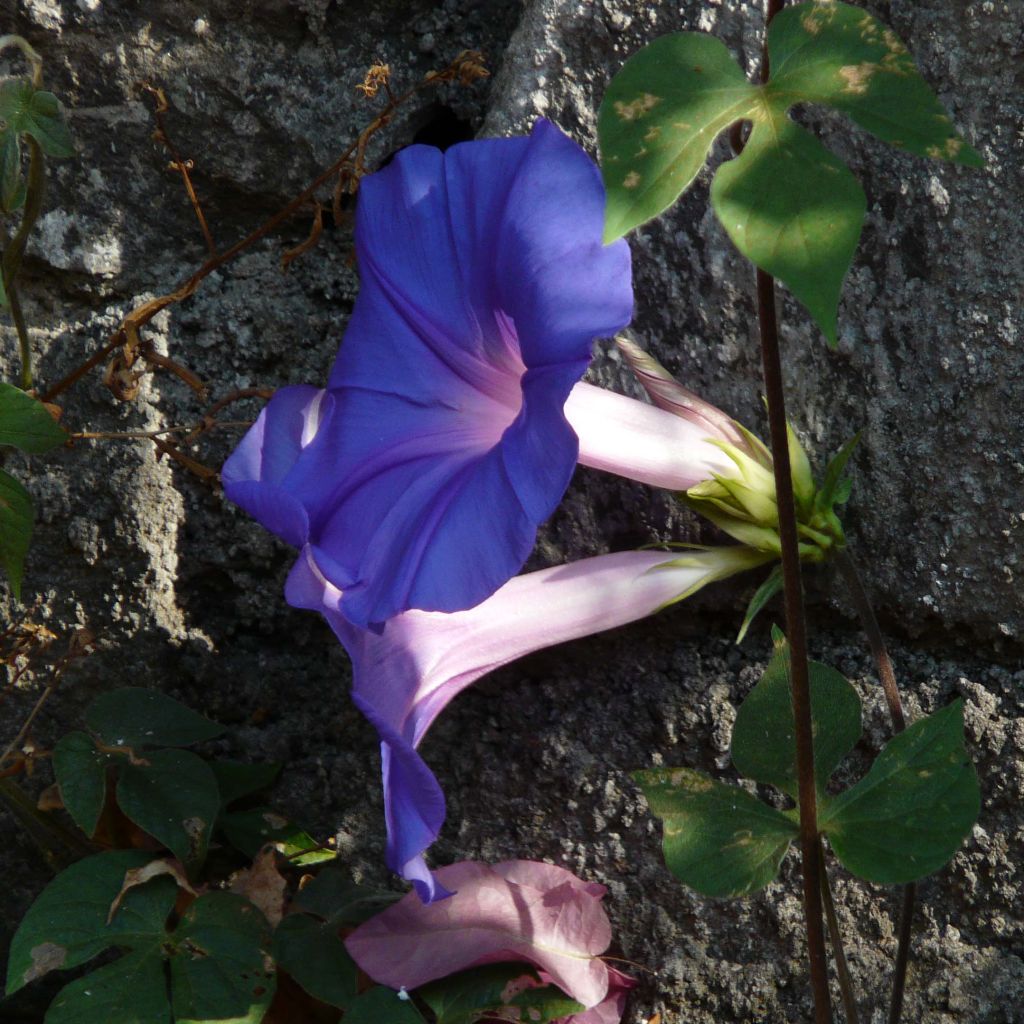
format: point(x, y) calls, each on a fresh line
point(517, 911)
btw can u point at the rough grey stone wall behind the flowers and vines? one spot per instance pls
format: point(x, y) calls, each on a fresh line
point(186, 592)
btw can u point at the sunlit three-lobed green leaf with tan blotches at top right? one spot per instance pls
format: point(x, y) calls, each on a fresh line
point(788, 204)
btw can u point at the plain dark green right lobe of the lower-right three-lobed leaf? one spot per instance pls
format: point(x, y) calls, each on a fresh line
point(909, 816)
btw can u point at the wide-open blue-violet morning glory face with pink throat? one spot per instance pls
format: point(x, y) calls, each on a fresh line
point(418, 480)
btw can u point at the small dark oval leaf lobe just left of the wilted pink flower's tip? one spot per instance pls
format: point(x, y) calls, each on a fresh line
point(314, 955)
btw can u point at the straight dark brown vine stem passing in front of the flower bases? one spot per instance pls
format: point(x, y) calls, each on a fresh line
point(797, 635)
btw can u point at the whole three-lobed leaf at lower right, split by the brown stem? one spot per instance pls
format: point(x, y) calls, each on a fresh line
point(906, 820)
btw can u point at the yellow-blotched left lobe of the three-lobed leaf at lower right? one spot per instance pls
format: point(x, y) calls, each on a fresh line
point(719, 840)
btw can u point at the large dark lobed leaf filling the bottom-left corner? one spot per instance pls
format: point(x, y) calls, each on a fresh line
point(215, 957)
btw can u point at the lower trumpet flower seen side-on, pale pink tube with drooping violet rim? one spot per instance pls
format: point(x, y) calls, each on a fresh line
point(409, 672)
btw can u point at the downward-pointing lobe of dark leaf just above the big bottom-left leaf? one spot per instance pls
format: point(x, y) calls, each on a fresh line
point(175, 798)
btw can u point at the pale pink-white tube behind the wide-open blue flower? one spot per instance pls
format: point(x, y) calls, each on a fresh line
point(641, 442)
